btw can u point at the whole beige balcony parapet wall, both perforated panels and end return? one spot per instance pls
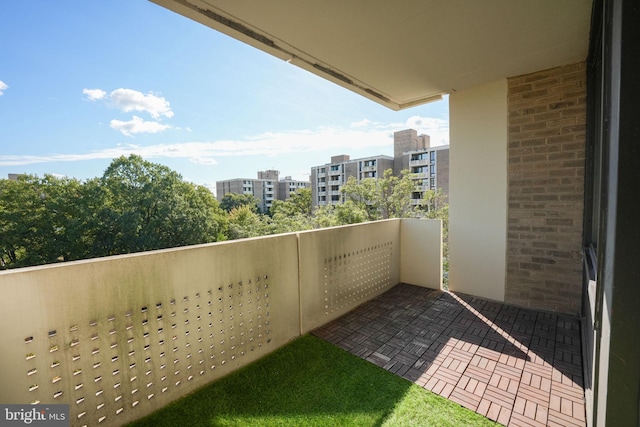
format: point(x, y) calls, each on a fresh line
point(117, 338)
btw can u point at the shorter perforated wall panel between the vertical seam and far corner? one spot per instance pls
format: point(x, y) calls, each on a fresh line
point(343, 267)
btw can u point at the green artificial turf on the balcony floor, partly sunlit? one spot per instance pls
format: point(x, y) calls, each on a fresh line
point(313, 383)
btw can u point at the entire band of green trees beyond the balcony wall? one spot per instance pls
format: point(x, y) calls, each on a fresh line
point(137, 206)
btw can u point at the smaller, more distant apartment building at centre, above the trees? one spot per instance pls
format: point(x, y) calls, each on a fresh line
point(266, 188)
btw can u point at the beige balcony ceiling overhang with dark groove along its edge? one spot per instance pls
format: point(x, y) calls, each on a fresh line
point(403, 53)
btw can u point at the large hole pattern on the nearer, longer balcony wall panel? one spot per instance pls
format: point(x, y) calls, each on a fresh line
point(118, 363)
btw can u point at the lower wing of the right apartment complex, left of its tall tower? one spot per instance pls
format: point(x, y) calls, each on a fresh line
point(327, 180)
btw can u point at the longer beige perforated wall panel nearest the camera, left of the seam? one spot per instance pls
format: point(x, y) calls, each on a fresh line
point(118, 338)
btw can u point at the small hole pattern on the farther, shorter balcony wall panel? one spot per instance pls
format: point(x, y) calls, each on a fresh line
point(352, 278)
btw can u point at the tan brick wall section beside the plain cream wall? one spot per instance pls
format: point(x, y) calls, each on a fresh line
point(547, 115)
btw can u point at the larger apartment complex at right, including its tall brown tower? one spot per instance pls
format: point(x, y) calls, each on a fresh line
point(429, 168)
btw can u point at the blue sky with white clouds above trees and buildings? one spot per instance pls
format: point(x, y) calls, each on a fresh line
point(83, 82)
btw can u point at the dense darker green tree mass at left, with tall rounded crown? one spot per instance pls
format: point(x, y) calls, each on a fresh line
point(135, 206)
